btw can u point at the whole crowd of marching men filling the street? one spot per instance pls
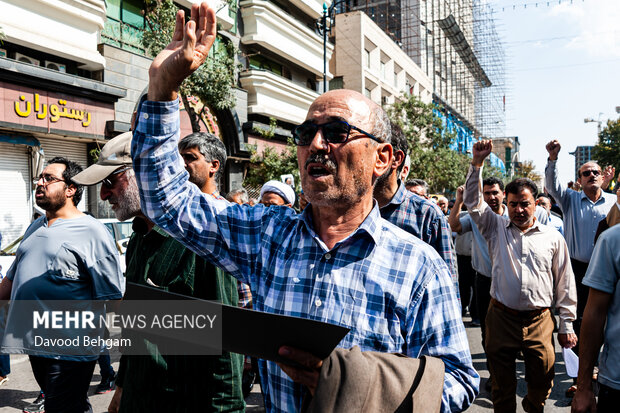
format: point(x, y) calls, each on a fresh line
point(361, 246)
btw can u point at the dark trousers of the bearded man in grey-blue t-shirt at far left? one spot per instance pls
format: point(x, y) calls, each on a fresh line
point(65, 383)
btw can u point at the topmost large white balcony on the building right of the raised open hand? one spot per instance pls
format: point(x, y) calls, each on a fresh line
point(273, 29)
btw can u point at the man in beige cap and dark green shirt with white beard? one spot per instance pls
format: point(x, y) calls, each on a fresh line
point(159, 382)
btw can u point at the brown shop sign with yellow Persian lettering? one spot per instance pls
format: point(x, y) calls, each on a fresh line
point(53, 111)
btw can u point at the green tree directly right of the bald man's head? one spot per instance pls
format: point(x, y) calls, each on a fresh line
point(432, 159)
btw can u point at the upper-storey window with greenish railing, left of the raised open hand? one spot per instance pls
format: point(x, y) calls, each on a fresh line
point(124, 24)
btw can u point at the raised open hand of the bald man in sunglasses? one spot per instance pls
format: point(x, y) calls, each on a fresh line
point(188, 49)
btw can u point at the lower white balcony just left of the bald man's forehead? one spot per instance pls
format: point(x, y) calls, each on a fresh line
point(273, 95)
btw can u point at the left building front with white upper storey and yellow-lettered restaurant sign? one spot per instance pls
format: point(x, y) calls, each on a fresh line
point(52, 103)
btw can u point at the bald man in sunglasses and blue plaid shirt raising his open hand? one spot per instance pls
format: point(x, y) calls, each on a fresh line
point(337, 262)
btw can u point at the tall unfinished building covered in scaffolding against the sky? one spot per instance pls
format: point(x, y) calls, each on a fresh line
point(456, 43)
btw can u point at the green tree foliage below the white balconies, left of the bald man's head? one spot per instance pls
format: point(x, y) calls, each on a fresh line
point(271, 163)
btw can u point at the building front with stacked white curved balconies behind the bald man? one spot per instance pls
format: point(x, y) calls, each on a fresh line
point(283, 65)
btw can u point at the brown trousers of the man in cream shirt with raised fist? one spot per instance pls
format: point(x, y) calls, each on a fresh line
point(506, 334)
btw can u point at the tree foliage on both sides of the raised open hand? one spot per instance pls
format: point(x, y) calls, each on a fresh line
point(213, 82)
